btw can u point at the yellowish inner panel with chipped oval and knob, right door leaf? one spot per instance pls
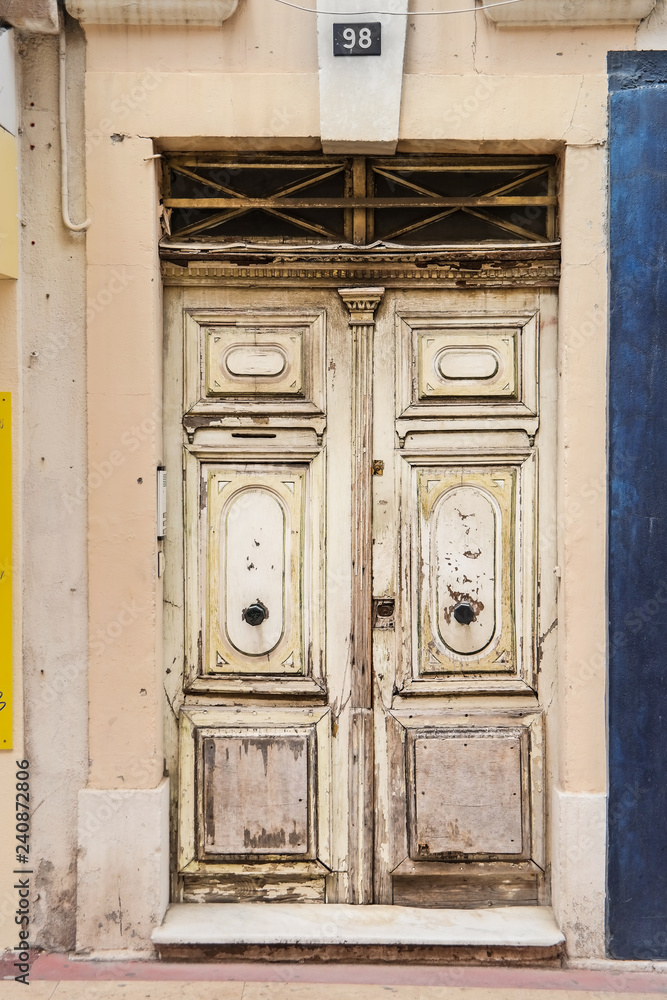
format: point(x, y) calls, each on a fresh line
point(468, 560)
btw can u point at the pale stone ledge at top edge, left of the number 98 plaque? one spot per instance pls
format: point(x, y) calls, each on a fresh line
point(201, 13)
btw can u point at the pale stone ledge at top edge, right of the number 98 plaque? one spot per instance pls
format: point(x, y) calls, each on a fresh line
point(567, 13)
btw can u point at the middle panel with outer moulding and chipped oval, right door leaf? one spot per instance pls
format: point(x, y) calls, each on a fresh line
point(469, 530)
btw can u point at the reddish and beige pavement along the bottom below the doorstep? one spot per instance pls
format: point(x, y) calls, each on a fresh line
point(57, 977)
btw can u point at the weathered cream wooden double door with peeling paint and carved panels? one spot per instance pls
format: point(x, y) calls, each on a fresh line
point(359, 567)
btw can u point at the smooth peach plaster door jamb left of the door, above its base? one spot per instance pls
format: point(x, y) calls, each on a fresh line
point(124, 447)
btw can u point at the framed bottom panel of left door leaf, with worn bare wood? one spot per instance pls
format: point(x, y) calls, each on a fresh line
point(254, 790)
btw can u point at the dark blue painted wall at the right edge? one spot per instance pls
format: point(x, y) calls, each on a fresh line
point(637, 848)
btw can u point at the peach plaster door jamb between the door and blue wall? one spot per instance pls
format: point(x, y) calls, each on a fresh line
point(582, 472)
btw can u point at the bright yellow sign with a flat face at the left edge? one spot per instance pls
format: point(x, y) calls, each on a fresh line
point(5, 571)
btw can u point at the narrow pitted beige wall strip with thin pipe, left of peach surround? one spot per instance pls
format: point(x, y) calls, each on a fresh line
point(52, 361)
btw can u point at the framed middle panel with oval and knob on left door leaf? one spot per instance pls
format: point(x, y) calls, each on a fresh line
point(260, 568)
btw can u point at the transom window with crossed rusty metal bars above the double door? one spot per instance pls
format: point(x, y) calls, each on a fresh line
point(405, 200)
